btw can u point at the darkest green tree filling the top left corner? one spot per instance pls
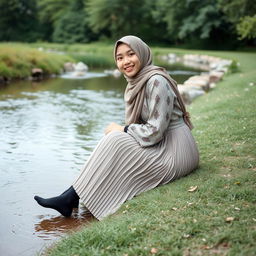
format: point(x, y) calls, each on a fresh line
point(18, 20)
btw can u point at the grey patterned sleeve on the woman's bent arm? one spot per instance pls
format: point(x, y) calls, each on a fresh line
point(158, 107)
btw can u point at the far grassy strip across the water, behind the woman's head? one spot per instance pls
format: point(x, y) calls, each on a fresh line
point(17, 60)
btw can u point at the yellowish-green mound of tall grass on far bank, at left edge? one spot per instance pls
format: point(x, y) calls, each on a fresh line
point(17, 61)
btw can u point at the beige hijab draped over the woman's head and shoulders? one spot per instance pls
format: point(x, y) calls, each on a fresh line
point(135, 90)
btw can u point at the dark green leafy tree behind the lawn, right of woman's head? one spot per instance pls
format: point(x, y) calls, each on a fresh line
point(195, 22)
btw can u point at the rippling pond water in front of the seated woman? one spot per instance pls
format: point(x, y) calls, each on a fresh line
point(48, 130)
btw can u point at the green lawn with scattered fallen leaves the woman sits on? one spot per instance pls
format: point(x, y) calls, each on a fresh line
point(218, 218)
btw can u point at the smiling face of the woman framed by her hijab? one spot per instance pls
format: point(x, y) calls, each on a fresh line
point(127, 61)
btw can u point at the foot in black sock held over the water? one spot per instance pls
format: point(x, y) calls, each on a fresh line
point(63, 203)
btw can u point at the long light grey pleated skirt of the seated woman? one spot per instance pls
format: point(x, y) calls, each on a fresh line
point(119, 168)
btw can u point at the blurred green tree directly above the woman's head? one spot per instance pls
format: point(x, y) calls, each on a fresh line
point(115, 18)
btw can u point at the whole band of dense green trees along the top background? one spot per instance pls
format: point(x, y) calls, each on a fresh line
point(196, 23)
